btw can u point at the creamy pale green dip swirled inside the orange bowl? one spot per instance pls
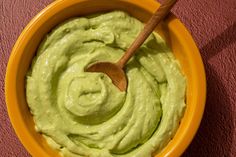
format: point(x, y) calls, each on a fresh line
point(84, 114)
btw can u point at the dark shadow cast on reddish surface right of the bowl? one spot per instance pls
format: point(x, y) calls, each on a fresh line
point(216, 134)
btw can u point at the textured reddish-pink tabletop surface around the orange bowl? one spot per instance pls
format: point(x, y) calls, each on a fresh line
point(212, 24)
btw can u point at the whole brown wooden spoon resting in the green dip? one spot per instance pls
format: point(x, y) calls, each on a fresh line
point(115, 70)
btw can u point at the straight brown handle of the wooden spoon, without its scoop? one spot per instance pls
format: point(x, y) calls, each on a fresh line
point(159, 15)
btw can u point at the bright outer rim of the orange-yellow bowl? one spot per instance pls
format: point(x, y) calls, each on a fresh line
point(11, 99)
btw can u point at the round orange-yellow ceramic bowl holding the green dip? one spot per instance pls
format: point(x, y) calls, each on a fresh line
point(172, 31)
